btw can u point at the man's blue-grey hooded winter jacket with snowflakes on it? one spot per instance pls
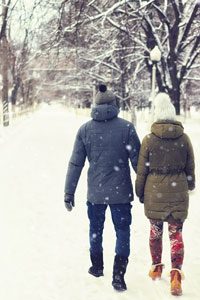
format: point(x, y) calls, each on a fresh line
point(108, 142)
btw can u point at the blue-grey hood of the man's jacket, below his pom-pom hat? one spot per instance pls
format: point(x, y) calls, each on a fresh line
point(104, 112)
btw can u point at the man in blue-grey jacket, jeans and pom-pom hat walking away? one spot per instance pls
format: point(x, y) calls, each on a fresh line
point(108, 142)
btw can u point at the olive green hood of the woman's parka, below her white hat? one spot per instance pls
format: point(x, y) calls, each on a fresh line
point(167, 129)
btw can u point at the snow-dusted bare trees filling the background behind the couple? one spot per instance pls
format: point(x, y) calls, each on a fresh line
point(60, 50)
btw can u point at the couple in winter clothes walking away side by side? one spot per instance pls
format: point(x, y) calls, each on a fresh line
point(164, 164)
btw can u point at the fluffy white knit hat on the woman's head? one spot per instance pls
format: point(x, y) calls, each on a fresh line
point(163, 108)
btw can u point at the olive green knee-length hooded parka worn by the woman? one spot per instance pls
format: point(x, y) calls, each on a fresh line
point(165, 171)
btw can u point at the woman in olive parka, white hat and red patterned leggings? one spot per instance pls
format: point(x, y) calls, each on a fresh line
point(165, 173)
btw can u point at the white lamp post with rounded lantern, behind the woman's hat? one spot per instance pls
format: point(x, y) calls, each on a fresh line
point(155, 57)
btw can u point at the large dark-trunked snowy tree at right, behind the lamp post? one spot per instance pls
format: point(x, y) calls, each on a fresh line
point(174, 27)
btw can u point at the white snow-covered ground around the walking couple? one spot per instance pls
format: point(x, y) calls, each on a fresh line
point(44, 248)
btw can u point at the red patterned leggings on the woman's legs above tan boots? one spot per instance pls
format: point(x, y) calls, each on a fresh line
point(176, 242)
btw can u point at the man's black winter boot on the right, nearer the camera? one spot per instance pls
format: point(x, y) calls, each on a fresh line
point(119, 270)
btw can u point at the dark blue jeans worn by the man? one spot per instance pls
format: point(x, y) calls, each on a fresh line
point(121, 218)
